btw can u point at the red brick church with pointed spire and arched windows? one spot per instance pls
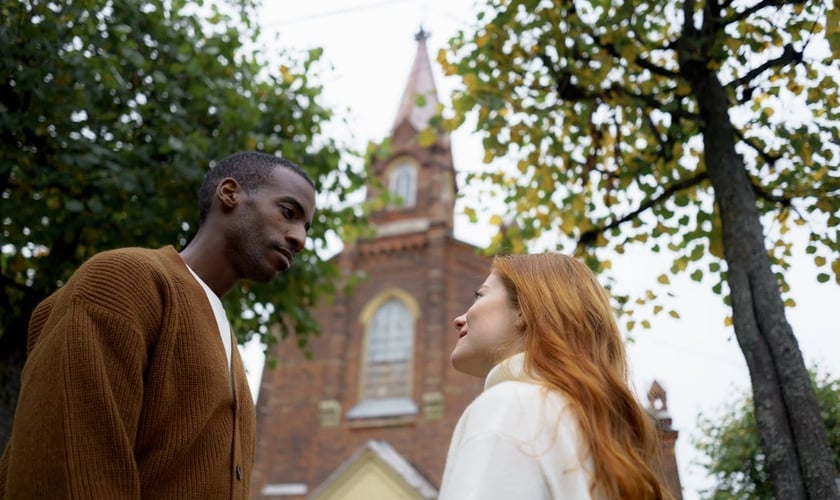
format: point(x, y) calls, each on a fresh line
point(370, 415)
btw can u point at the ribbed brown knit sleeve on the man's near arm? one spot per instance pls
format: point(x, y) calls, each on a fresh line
point(82, 391)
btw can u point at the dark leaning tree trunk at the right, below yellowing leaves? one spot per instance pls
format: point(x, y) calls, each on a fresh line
point(792, 434)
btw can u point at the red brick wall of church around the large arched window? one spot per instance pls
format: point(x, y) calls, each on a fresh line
point(293, 447)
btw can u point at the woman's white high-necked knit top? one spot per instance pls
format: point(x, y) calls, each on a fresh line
point(516, 440)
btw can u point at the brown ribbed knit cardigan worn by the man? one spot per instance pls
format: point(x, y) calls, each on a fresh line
point(126, 392)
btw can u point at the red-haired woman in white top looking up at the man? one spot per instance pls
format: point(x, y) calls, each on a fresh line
point(557, 418)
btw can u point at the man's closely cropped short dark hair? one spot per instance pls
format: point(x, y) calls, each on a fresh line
point(251, 169)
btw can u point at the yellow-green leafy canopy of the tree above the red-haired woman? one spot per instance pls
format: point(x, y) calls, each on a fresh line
point(593, 137)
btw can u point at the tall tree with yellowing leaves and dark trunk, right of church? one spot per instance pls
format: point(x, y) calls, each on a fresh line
point(656, 123)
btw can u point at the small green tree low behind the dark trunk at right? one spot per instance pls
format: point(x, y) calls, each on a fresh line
point(731, 444)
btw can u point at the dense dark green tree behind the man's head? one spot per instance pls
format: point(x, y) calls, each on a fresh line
point(110, 112)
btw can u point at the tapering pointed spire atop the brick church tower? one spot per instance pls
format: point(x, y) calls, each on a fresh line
point(419, 101)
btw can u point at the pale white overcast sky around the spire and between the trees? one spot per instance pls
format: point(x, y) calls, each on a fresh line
point(371, 46)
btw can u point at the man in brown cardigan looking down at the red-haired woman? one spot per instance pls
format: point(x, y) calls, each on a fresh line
point(133, 387)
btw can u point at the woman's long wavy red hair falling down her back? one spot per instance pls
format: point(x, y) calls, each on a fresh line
point(572, 341)
